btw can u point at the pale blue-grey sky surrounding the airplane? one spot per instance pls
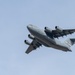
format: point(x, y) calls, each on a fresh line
point(15, 15)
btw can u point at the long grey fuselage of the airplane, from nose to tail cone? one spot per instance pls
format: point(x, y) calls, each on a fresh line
point(46, 40)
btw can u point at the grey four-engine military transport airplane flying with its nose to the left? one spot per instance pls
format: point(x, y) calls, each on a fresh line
point(49, 38)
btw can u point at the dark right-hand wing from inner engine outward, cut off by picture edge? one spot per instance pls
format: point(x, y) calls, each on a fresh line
point(65, 32)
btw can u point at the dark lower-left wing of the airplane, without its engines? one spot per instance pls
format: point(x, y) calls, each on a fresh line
point(33, 46)
